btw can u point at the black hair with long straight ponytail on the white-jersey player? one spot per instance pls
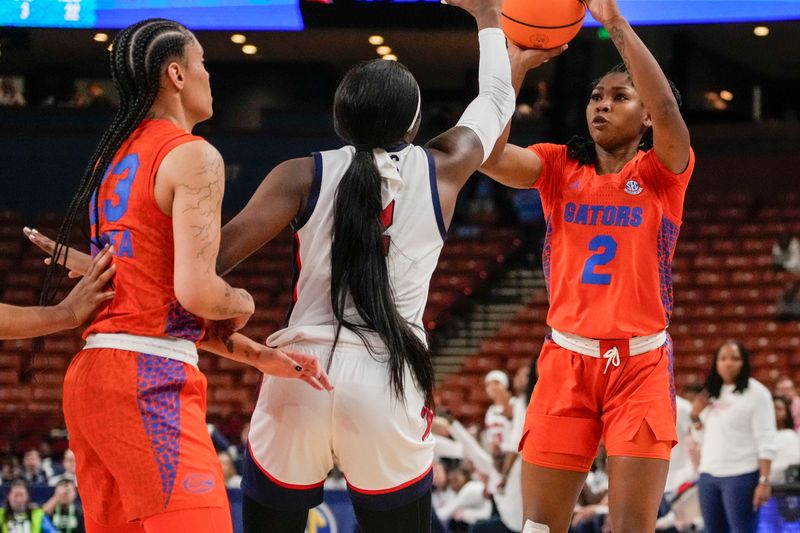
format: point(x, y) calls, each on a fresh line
point(375, 106)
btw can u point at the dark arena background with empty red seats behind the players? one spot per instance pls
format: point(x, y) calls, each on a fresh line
point(274, 67)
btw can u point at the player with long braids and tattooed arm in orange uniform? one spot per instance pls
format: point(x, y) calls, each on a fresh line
point(134, 399)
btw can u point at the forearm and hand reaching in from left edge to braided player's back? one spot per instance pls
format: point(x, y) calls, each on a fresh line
point(24, 322)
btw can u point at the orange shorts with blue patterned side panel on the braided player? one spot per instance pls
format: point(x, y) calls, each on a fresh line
point(136, 423)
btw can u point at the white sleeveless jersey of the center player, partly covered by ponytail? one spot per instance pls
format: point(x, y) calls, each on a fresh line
point(415, 232)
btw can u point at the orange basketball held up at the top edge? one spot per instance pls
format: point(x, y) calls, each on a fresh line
point(542, 23)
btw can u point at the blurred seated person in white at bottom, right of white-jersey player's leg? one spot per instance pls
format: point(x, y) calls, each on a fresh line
point(469, 504)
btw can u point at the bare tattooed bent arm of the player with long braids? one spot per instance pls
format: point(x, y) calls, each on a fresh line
point(193, 174)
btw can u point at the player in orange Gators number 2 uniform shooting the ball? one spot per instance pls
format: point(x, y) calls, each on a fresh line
point(613, 214)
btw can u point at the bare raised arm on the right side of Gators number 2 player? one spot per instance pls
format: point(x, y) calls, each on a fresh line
point(670, 134)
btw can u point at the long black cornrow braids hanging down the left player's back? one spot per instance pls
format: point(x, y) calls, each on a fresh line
point(138, 56)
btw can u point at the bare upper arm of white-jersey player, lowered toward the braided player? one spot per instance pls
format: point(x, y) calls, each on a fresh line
point(280, 198)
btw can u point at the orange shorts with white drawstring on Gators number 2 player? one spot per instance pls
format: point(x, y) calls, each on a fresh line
point(577, 401)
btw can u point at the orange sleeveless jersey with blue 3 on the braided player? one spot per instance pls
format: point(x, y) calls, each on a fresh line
point(141, 233)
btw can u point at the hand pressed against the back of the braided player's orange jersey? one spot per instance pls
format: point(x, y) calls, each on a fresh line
point(84, 298)
